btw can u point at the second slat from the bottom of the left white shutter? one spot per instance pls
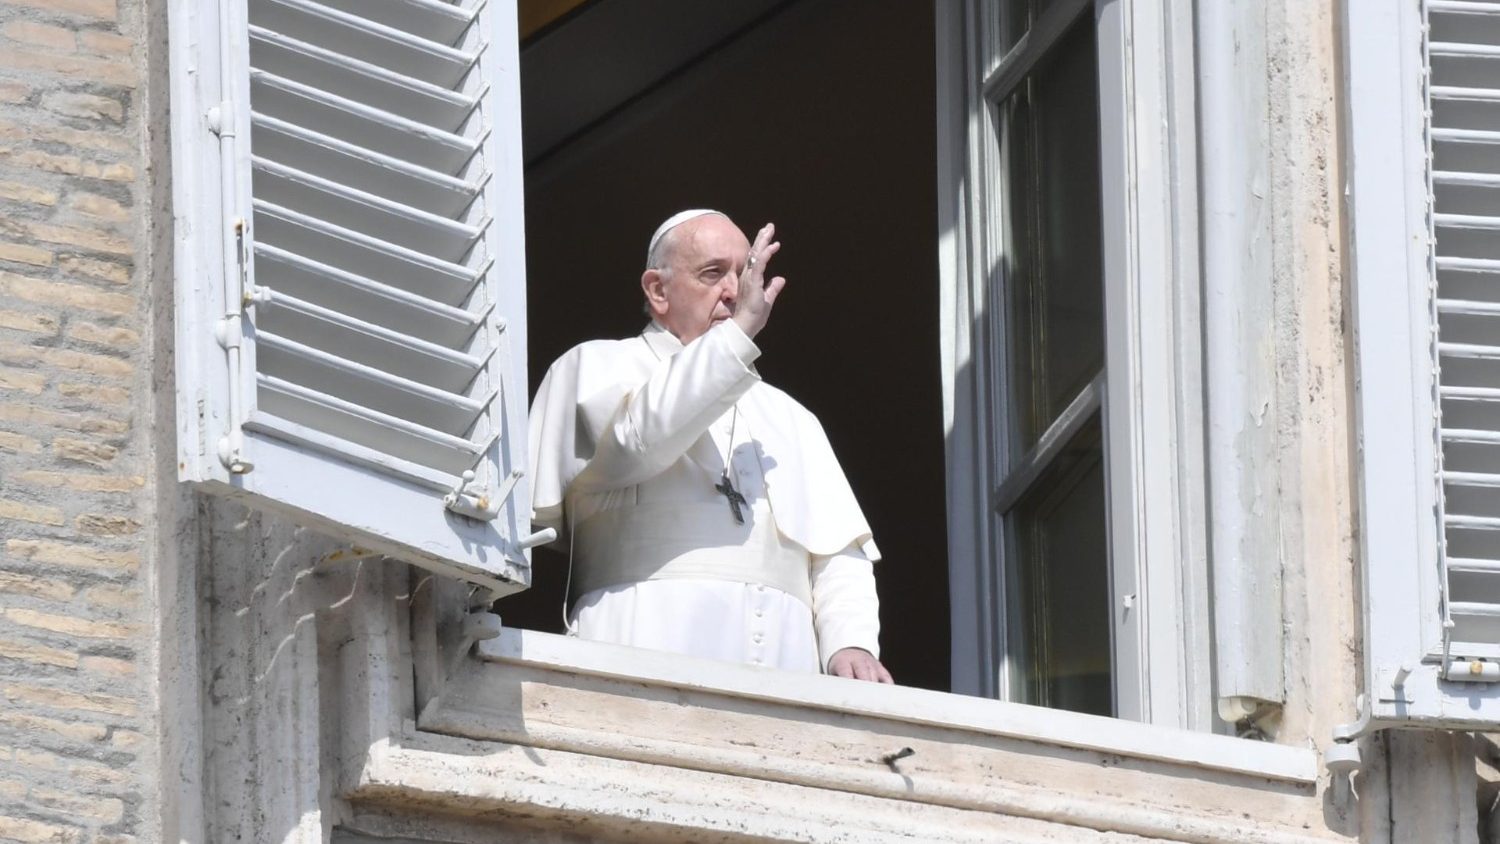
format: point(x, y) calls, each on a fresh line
point(367, 386)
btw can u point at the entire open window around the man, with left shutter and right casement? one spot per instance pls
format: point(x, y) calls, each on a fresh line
point(359, 173)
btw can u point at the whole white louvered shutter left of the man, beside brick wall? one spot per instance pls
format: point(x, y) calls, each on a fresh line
point(350, 271)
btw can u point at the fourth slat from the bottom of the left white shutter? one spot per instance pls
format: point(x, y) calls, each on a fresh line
point(365, 299)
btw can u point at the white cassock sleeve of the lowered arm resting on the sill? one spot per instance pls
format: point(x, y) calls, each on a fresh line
point(847, 612)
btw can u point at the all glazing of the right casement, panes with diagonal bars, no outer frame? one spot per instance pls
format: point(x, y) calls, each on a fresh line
point(1049, 340)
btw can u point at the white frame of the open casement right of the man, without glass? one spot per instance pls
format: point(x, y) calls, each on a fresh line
point(1154, 413)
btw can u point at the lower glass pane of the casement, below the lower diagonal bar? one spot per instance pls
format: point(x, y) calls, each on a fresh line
point(1060, 578)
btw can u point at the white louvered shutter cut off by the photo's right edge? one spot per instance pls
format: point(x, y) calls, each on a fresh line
point(1426, 200)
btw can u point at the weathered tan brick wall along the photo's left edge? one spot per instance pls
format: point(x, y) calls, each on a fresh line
point(73, 449)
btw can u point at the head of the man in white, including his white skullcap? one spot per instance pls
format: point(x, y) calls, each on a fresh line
point(698, 286)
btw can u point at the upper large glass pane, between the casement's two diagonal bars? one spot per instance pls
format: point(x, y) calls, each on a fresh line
point(1055, 286)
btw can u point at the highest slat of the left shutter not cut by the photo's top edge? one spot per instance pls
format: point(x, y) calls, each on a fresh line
point(361, 82)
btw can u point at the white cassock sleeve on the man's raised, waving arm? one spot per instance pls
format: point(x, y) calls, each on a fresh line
point(658, 422)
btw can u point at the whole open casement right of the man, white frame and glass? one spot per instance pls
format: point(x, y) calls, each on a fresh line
point(1079, 567)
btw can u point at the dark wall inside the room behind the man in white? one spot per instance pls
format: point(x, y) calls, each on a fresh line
point(820, 118)
